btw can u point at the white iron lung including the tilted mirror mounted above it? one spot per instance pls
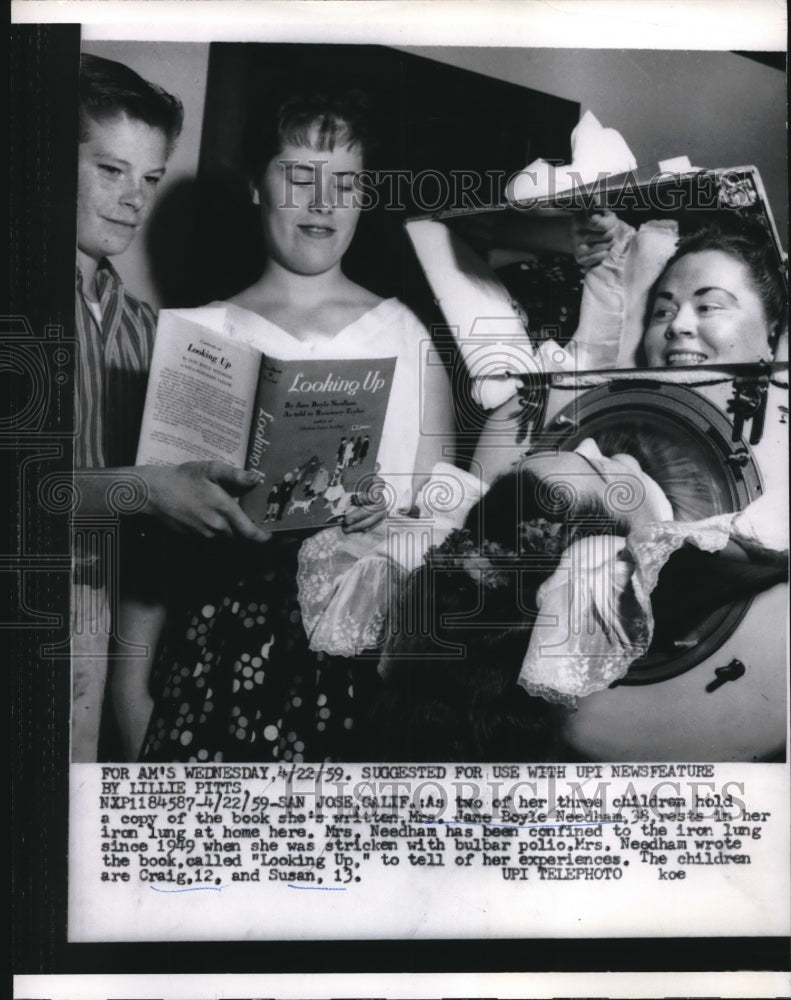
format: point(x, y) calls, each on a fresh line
point(713, 685)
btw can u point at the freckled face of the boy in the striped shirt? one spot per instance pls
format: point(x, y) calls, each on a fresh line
point(119, 166)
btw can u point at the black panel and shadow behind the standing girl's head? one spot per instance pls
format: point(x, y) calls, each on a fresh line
point(431, 120)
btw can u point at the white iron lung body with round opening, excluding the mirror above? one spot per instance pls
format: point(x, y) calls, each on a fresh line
point(713, 689)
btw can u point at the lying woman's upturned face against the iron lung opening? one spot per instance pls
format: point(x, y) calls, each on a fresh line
point(617, 482)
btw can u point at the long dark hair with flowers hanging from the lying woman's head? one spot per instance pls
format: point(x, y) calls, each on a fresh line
point(462, 624)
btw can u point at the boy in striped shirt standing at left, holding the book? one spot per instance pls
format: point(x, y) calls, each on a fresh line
point(128, 129)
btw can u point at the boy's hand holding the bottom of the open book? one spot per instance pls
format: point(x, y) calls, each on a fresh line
point(198, 497)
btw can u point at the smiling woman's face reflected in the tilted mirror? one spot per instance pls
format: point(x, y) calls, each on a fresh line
point(706, 311)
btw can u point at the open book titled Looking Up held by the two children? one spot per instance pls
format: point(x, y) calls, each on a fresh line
point(310, 428)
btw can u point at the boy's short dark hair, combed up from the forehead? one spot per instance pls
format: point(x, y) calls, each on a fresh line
point(109, 89)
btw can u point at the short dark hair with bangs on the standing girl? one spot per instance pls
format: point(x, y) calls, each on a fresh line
point(321, 120)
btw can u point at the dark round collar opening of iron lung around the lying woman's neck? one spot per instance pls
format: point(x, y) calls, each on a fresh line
point(683, 441)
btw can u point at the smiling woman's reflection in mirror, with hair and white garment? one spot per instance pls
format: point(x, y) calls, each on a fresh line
point(644, 304)
